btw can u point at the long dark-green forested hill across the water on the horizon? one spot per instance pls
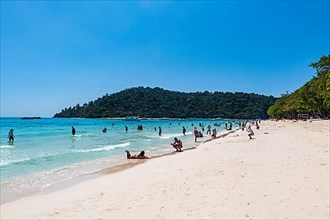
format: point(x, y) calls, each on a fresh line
point(157, 103)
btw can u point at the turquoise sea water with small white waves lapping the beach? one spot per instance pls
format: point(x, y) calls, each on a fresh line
point(45, 152)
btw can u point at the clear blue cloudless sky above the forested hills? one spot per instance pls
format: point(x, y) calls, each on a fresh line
point(55, 54)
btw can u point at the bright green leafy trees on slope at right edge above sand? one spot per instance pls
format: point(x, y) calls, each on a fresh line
point(312, 98)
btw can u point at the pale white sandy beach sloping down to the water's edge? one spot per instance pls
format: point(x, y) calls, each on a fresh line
point(281, 174)
